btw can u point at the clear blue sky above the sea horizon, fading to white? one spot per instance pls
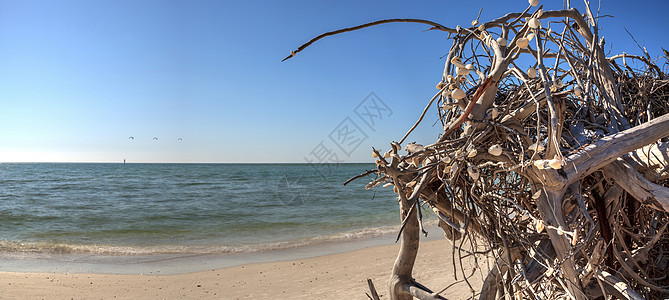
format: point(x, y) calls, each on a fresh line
point(79, 78)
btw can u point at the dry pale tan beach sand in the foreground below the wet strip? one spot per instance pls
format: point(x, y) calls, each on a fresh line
point(337, 276)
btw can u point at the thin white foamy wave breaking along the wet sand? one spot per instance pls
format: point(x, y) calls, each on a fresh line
point(131, 250)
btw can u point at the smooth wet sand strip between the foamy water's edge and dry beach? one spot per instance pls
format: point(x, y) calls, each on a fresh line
point(174, 264)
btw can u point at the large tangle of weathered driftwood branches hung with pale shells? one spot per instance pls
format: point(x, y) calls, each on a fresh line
point(556, 169)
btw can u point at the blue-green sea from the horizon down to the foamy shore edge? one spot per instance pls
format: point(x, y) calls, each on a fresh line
point(117, 209)
